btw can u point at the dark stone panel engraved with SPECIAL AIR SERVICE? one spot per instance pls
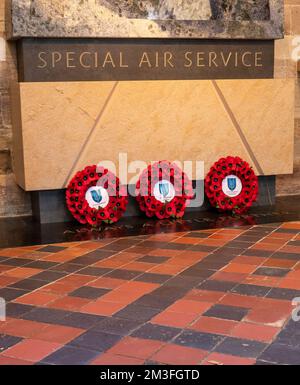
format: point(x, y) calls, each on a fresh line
point(135, 59)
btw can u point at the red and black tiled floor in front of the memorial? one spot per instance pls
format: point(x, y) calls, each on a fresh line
point(219, 296)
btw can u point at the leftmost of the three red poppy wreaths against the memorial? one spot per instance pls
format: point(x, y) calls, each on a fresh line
point(95, 196)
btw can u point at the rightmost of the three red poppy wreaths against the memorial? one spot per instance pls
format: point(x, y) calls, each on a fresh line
point(231, 185)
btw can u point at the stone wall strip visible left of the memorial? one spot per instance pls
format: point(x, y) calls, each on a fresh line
point(13, 201)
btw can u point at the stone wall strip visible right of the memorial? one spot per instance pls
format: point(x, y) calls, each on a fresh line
point(290, 184)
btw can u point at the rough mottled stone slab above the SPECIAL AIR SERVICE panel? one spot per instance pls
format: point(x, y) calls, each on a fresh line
point(69, 18)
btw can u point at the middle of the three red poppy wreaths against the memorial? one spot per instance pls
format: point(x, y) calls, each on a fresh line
point(163, 191)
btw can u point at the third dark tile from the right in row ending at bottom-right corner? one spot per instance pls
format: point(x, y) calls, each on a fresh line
point(205, 341)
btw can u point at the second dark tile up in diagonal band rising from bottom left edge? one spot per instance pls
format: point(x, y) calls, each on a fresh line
point(97, 341)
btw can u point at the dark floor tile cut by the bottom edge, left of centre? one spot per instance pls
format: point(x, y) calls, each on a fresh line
point(70, 356)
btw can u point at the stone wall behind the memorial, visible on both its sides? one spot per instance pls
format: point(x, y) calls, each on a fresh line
point(13, 201)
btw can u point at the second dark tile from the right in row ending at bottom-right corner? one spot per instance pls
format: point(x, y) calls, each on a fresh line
point(241, 347)
